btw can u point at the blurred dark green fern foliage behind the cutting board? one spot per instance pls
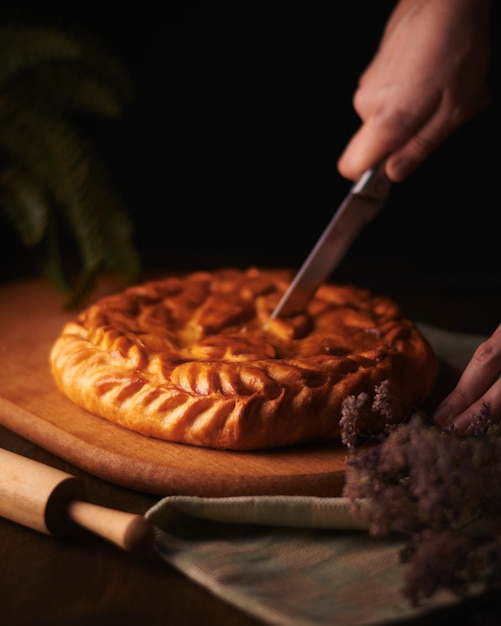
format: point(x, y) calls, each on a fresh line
point(51, 190)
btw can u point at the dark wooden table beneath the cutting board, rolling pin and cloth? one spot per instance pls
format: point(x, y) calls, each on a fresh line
point(82, 580)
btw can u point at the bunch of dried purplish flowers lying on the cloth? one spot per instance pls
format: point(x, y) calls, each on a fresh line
point(441, 491)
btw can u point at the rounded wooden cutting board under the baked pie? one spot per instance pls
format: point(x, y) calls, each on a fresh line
point(31, 316)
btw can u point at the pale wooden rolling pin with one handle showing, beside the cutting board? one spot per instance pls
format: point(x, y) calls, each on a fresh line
point(52, 501)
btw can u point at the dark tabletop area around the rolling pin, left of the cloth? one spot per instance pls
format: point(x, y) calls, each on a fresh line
point(82, 580)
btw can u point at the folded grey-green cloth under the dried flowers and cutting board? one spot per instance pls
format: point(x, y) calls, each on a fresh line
point(296, 560)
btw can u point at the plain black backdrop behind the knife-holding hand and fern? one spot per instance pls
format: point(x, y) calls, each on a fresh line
point(228, 154)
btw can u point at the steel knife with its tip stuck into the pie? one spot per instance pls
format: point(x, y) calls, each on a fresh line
point(364, 201)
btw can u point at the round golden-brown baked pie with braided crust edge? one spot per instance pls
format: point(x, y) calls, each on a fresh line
point(197, 359)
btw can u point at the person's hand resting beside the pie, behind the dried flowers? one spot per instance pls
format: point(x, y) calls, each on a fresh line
point(480, 383)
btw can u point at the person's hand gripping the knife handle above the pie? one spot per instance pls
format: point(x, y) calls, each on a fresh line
point(426, 79)
